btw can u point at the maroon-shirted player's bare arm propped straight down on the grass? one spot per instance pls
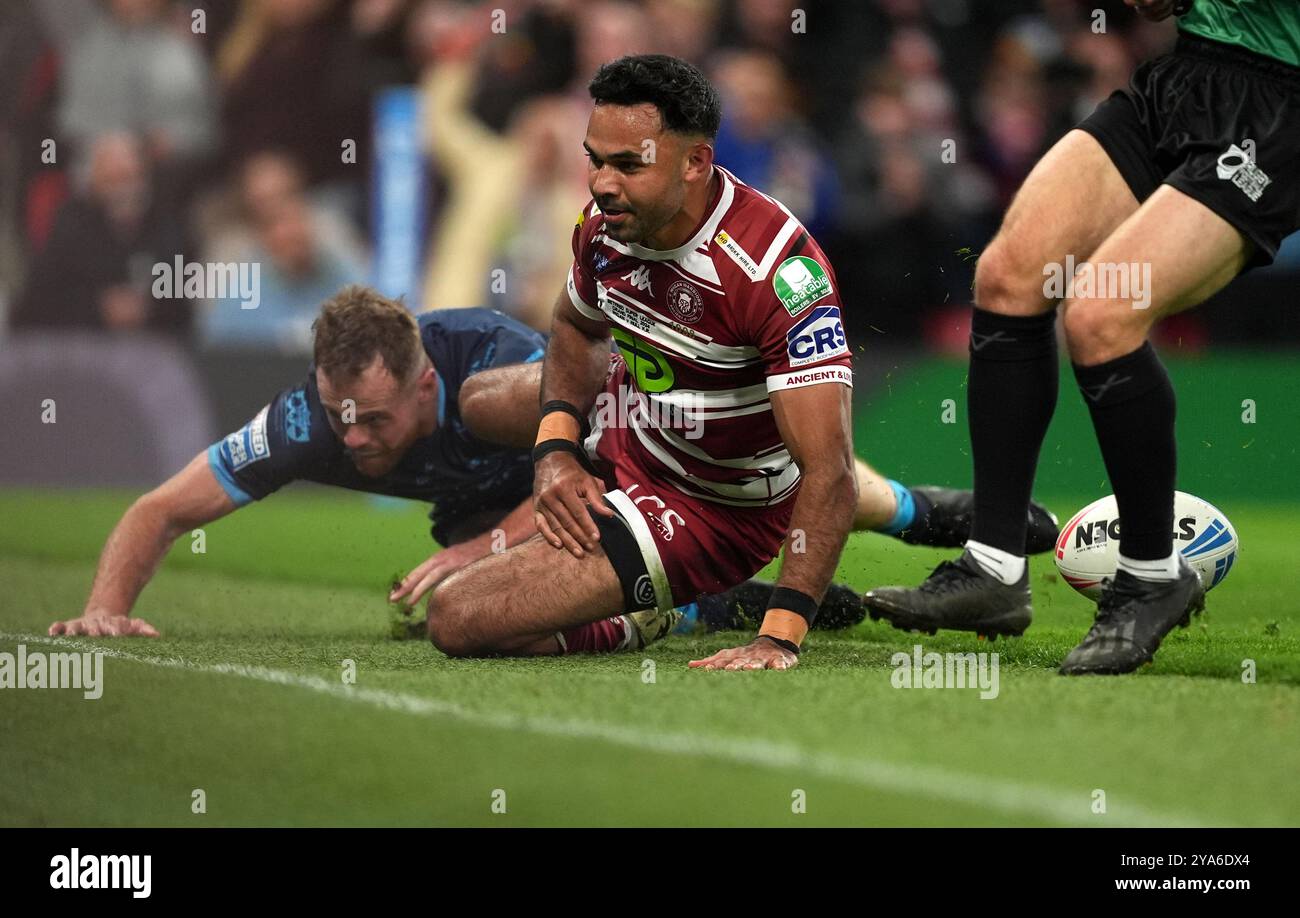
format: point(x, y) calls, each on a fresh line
point(816, 425)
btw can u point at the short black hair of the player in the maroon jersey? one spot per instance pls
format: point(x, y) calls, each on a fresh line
point(687, 101)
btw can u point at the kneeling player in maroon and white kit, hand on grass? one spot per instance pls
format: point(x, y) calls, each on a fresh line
point(720, 431)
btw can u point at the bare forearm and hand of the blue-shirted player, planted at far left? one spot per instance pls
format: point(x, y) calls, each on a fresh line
point(189, 500)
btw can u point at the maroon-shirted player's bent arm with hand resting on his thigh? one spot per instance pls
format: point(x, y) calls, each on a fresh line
point(578, 360)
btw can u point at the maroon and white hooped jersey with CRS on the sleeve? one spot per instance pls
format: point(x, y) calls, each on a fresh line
point(748, 306)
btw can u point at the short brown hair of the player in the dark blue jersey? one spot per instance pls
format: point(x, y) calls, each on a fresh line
point(358, 324)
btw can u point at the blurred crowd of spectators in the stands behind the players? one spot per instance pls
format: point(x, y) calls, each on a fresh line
point(138, 132)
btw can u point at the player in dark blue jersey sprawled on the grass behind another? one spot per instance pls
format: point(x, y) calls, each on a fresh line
point(440, 408)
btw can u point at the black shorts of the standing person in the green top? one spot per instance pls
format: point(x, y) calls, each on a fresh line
point(1190, 120)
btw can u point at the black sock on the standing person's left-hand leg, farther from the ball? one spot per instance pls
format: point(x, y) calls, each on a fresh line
point(1011, 400)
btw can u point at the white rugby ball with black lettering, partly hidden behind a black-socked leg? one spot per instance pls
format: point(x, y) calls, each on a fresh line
point(1089, 547)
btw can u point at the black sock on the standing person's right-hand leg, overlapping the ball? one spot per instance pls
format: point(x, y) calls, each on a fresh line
point(1133, 410)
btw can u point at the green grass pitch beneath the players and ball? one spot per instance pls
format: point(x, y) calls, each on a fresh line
point(244, 699)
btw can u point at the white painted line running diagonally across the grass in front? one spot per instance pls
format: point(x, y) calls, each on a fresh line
point(922, 781)
